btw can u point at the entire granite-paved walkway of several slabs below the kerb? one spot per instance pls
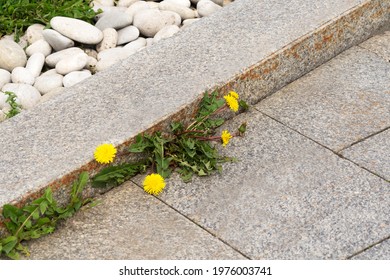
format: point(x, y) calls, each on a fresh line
point(312, 182)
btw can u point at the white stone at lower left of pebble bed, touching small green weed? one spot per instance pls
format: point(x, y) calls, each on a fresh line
point(27, 95)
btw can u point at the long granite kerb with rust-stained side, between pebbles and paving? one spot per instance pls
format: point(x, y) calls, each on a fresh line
point(254, 47)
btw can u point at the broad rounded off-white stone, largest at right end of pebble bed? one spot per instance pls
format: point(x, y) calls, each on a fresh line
point(150, 21)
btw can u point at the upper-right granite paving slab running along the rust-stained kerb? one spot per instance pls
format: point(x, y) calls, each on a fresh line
point(339, 103)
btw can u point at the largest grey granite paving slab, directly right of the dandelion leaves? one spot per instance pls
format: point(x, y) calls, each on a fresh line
point(286, 197)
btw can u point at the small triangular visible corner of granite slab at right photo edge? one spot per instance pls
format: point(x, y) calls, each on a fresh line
point(372, 154)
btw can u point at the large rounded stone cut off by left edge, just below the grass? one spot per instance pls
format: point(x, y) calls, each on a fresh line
point(11, 55)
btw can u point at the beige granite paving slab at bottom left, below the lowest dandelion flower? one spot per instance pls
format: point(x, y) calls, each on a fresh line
point(130, 224)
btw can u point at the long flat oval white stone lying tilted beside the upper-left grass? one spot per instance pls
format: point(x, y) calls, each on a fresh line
point(77, 30)
